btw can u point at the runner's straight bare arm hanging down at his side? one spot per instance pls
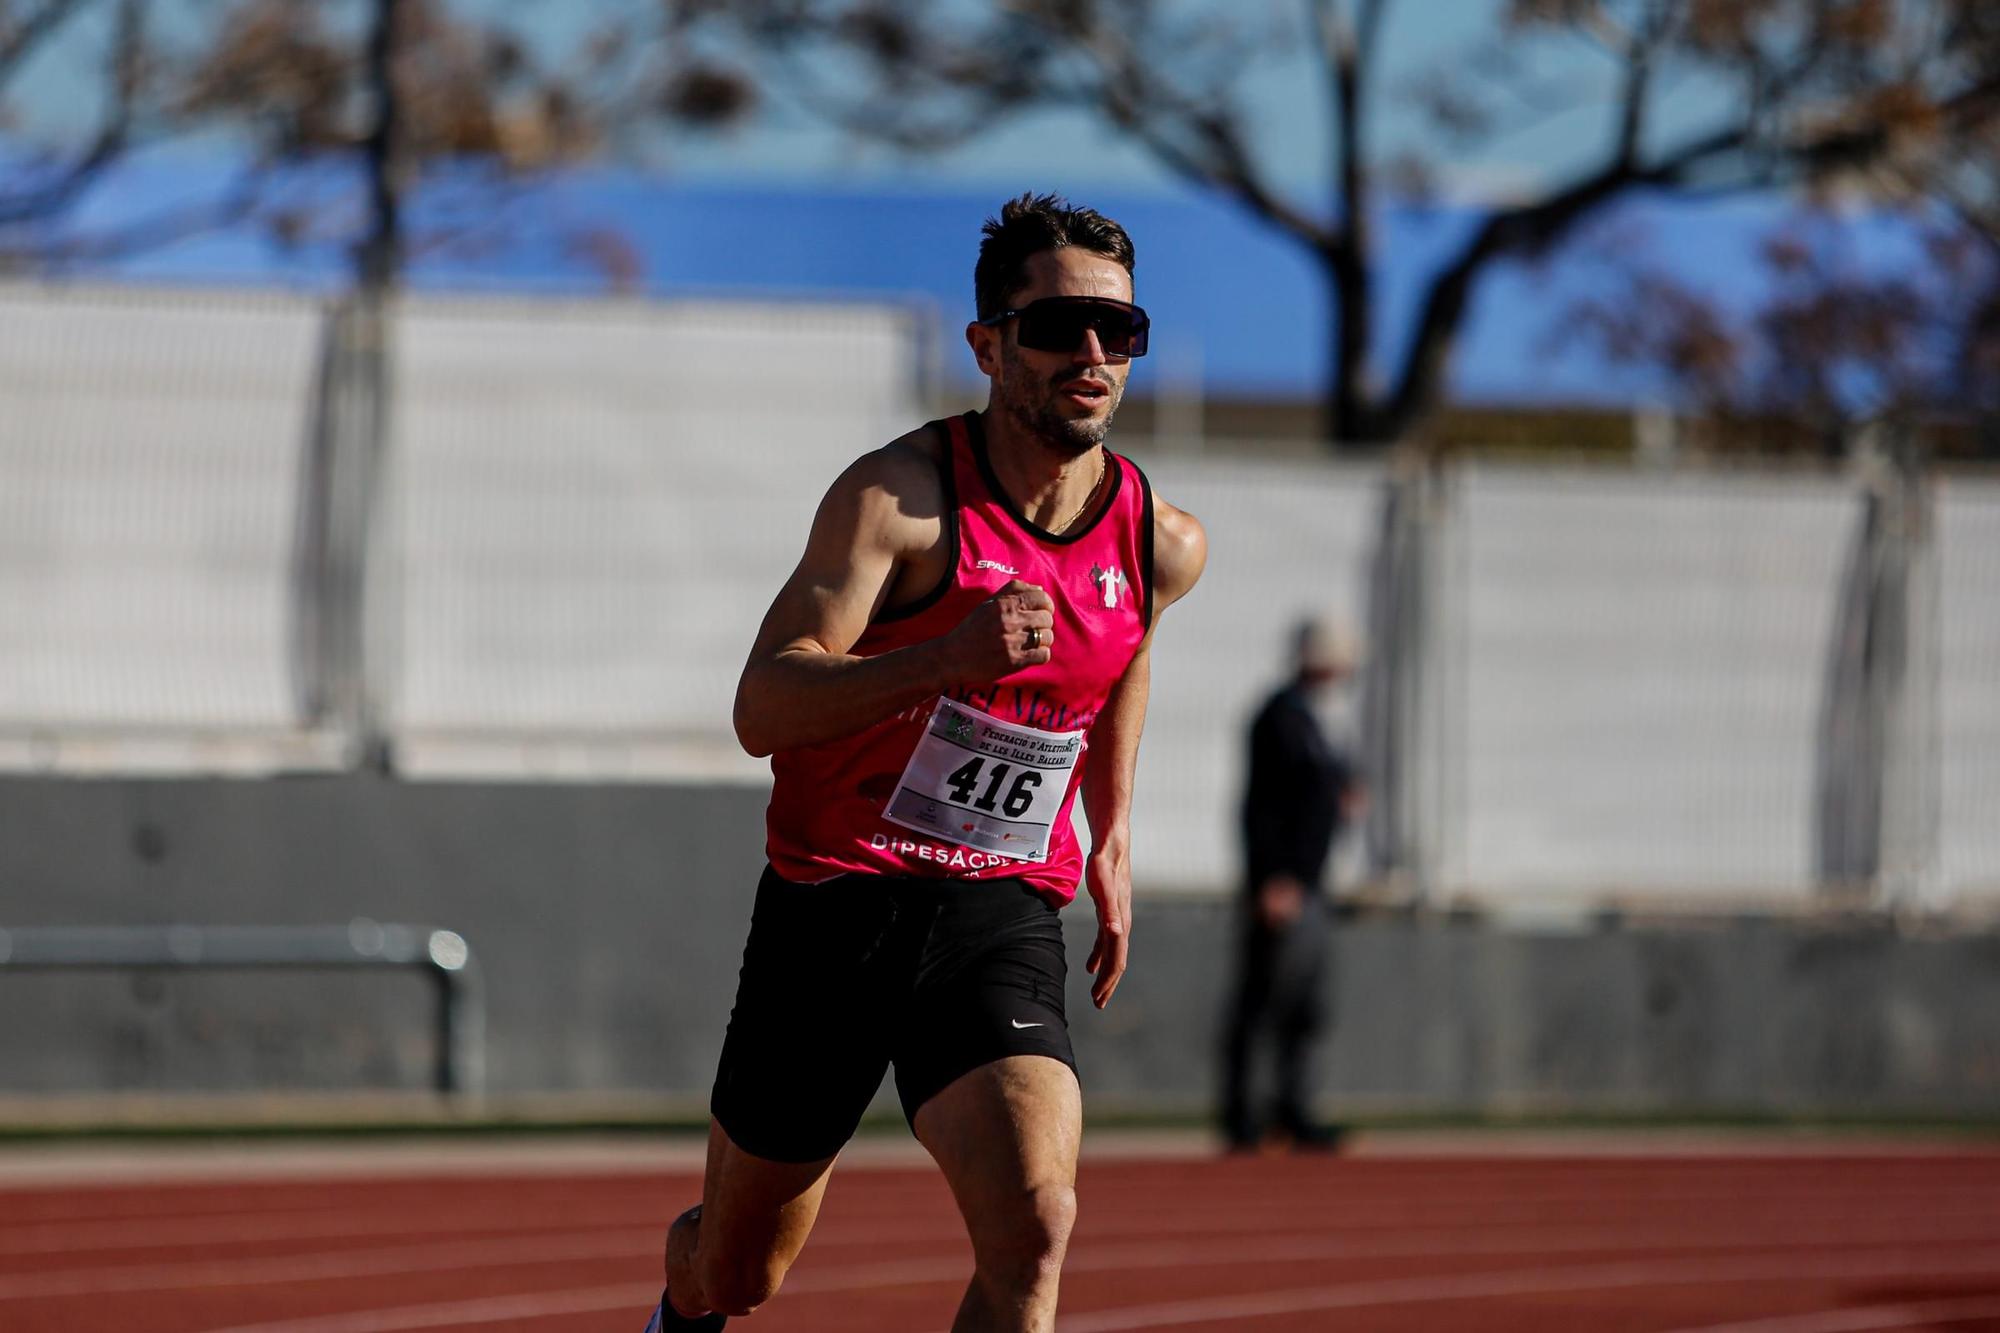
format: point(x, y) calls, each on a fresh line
point(1179, 553)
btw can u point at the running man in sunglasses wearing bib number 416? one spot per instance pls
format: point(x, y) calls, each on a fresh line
point(969, 625)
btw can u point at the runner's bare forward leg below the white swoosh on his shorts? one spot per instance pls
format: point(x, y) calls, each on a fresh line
point(1007, 1140)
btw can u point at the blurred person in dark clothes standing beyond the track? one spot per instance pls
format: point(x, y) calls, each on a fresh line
point(1301, 794)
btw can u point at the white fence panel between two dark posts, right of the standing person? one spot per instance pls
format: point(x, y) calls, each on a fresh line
point(1643, 668)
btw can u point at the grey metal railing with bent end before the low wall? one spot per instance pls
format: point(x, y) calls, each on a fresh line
point(461, 1016)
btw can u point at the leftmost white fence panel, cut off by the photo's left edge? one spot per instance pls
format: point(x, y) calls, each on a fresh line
point(151, 455)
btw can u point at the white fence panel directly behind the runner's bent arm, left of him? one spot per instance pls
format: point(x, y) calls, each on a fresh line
point(597, 505)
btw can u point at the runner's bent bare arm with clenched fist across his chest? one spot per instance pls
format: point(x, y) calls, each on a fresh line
point(803, 686)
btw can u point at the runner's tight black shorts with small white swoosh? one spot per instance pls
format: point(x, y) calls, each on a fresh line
point(849, 978)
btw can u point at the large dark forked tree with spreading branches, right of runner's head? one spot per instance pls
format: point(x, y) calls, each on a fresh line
point(1827, 89)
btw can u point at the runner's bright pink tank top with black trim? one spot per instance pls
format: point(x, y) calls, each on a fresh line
point(981, 784)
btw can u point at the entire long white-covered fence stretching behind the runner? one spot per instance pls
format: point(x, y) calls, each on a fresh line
point(1581, 688)
